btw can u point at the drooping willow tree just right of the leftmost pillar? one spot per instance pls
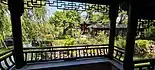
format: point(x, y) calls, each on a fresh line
point(33, 22)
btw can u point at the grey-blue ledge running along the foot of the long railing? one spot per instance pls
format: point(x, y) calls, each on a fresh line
point(55, 64)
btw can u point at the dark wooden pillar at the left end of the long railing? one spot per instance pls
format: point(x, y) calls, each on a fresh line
point(16, 9)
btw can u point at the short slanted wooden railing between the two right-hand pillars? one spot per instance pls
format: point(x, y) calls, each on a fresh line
point(119, 54)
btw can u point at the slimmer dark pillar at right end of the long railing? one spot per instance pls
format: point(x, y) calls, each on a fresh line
point(113, 13)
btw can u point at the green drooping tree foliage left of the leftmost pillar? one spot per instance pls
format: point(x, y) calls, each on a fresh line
point(5, 25)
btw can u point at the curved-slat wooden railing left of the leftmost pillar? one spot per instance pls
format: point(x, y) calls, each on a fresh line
point(7, 60)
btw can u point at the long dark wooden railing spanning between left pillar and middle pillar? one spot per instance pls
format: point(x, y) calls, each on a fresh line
point(64, 52)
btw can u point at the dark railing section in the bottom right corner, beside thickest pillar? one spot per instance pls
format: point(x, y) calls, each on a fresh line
point(145, 64)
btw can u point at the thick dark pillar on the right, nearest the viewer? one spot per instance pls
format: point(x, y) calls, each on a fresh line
point(131, 34)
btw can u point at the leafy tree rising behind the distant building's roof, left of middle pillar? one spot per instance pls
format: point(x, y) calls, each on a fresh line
point(96, 15)
